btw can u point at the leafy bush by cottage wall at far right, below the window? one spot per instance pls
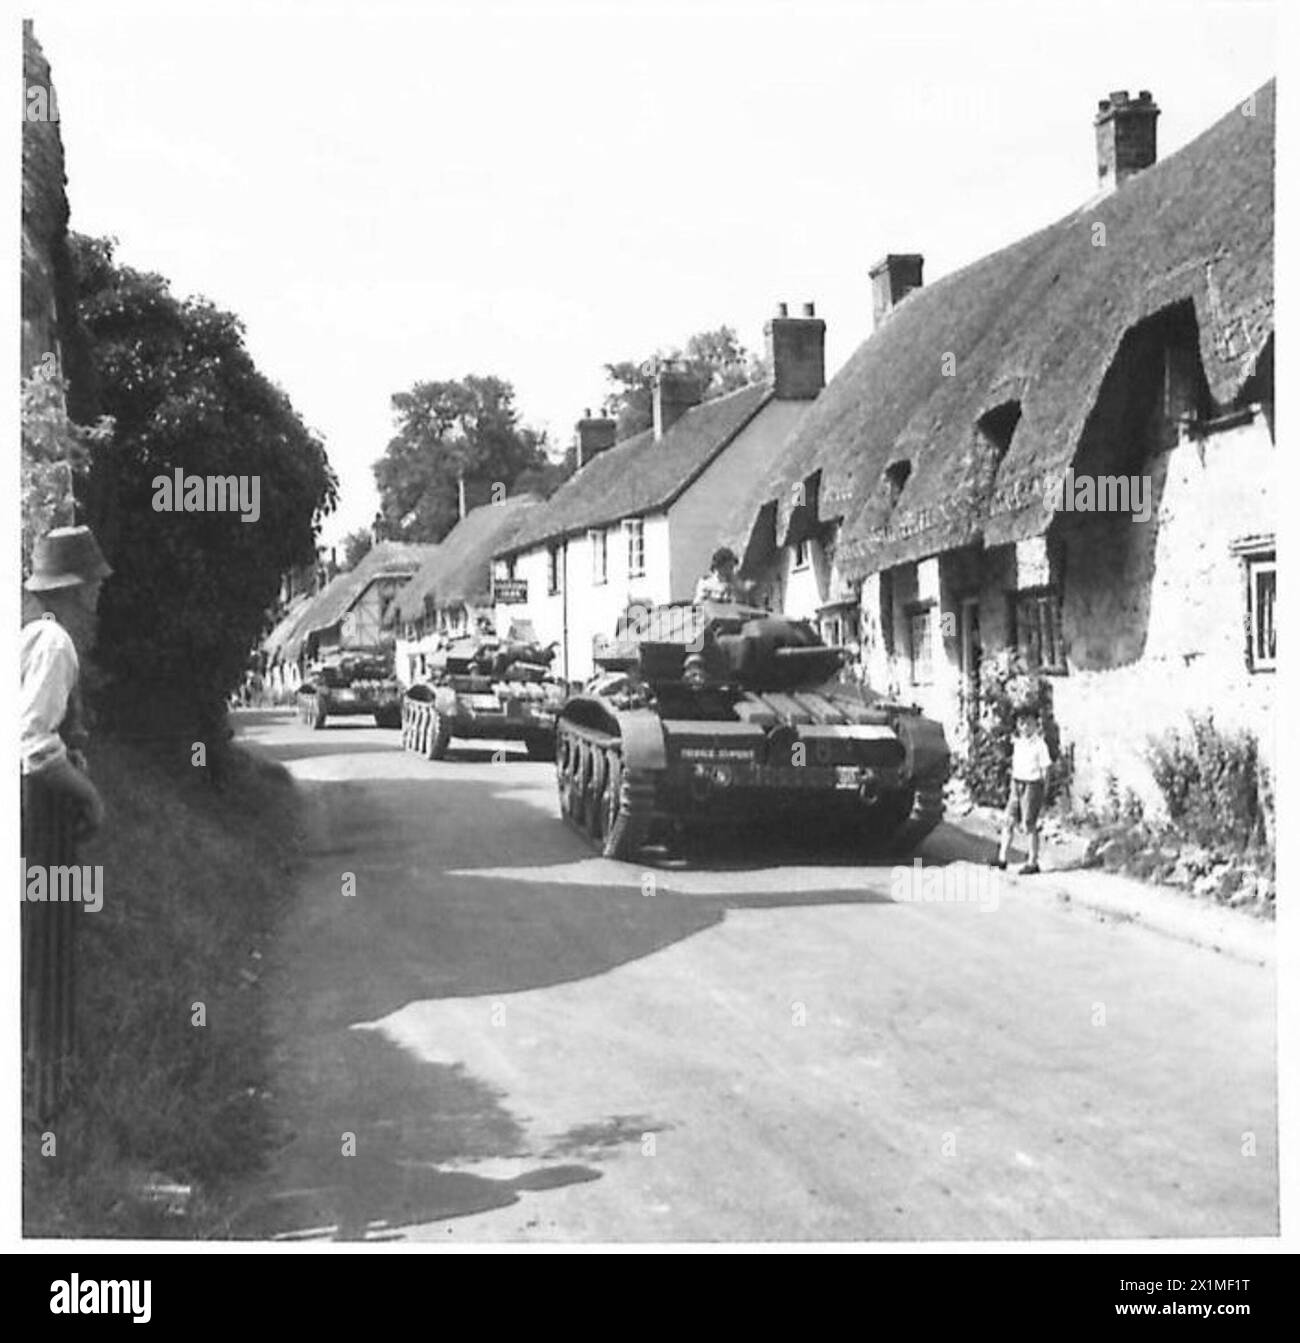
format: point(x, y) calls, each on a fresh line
point(1213, 784)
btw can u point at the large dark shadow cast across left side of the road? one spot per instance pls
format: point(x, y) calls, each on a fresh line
point(425, 888)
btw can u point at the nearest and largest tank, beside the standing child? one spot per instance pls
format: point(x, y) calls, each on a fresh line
point(723, 712)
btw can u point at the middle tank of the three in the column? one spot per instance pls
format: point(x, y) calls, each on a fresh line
point(483, 687)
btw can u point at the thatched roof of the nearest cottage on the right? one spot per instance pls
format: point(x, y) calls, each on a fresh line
point(1039, 323)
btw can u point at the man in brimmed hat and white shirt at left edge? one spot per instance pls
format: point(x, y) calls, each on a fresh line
point(68, 570)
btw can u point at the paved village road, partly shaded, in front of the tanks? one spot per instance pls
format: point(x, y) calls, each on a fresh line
point(531, 1043)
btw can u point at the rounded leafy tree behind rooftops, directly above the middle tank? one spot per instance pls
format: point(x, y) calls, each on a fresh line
point(451, 436)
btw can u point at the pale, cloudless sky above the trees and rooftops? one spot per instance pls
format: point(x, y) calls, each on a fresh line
point(387, 194)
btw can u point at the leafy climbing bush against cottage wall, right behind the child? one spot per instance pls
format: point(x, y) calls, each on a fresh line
point(1007, 687)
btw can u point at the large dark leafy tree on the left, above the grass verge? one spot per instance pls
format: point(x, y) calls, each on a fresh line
point(191, 590)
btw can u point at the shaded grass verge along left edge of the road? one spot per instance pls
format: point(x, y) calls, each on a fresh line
point(167, 1114)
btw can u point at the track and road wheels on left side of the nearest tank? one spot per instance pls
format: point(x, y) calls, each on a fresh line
point(610, 805)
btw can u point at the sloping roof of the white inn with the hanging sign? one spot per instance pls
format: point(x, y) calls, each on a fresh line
point(643, 475)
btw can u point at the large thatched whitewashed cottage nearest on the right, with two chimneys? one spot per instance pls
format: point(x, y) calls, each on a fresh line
point(957, 488)
